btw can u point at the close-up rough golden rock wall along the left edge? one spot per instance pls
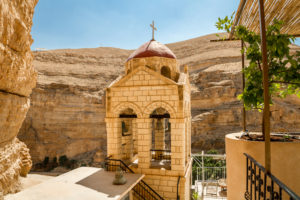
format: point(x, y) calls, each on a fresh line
point(17, 78)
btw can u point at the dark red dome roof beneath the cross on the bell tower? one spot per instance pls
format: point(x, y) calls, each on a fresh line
point(151, 49)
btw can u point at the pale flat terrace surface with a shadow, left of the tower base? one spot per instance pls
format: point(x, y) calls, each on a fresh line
point(86, 183)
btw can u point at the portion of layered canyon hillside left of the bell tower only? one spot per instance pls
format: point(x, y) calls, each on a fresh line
point(67, 115)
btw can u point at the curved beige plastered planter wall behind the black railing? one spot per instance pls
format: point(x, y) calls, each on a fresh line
point(246, 177)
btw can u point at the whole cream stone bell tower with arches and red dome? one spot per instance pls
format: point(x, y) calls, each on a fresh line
point(148, 119)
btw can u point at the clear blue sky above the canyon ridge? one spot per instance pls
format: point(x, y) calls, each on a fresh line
point(123, 24)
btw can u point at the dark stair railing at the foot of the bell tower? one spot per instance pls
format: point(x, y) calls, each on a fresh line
point(142, 190)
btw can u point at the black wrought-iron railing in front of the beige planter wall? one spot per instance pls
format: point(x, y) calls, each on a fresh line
point(262, 185)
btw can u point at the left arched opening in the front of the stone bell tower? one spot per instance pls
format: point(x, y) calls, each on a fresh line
point(129, 135)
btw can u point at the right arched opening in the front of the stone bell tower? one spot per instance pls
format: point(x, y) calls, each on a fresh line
point(161, 139)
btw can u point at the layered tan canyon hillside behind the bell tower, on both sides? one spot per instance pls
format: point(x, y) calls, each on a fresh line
point(67, 111)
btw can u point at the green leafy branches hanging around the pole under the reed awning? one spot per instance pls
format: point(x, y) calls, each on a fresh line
point(284, 68)
